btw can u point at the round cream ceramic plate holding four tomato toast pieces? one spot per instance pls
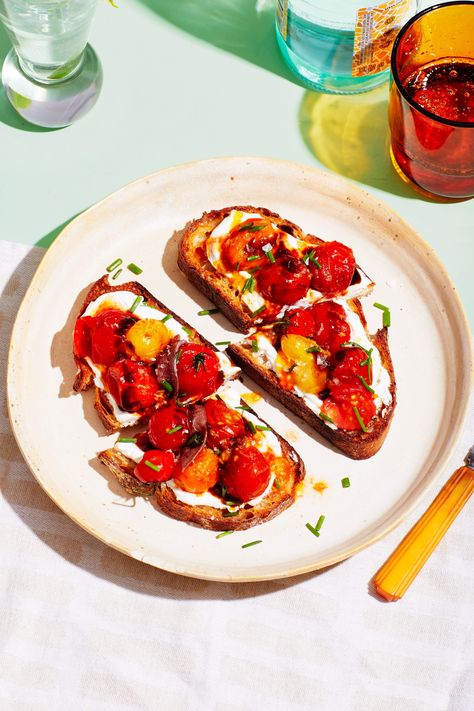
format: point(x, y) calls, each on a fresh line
point(59, 433)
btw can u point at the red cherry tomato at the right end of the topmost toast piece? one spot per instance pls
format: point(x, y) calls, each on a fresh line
point(337, 266)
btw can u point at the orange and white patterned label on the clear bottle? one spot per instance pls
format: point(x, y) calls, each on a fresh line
point(375, 32)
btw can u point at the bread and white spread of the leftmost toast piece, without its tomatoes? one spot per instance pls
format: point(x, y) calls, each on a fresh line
point(122, 297)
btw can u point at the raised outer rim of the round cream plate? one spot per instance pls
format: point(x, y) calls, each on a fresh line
point(350, 190)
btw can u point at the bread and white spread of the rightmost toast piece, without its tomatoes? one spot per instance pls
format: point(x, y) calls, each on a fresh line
point(355, 443)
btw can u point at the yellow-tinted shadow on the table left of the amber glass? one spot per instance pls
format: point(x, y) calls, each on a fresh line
point(349, 134)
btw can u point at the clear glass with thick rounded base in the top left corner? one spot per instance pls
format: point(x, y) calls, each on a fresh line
point(52, 76)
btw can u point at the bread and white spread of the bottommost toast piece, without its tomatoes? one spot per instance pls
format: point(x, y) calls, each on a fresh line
point(287, 473)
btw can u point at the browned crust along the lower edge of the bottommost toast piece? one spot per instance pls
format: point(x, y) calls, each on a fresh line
point(276, 501)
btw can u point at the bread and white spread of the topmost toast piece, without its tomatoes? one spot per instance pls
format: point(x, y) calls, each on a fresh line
point(226, 287)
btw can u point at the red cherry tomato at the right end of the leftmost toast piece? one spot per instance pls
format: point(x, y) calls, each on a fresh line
point(198, 371)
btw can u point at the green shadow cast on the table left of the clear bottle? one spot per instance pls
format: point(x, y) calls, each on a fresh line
point(245, 28)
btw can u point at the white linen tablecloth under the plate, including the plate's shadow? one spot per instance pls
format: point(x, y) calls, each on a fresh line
point(85, 627)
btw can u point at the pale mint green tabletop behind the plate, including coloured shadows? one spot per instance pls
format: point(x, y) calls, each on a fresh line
point(196, 79)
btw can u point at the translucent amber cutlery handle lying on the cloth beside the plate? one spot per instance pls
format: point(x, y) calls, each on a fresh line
point(396, 575)
